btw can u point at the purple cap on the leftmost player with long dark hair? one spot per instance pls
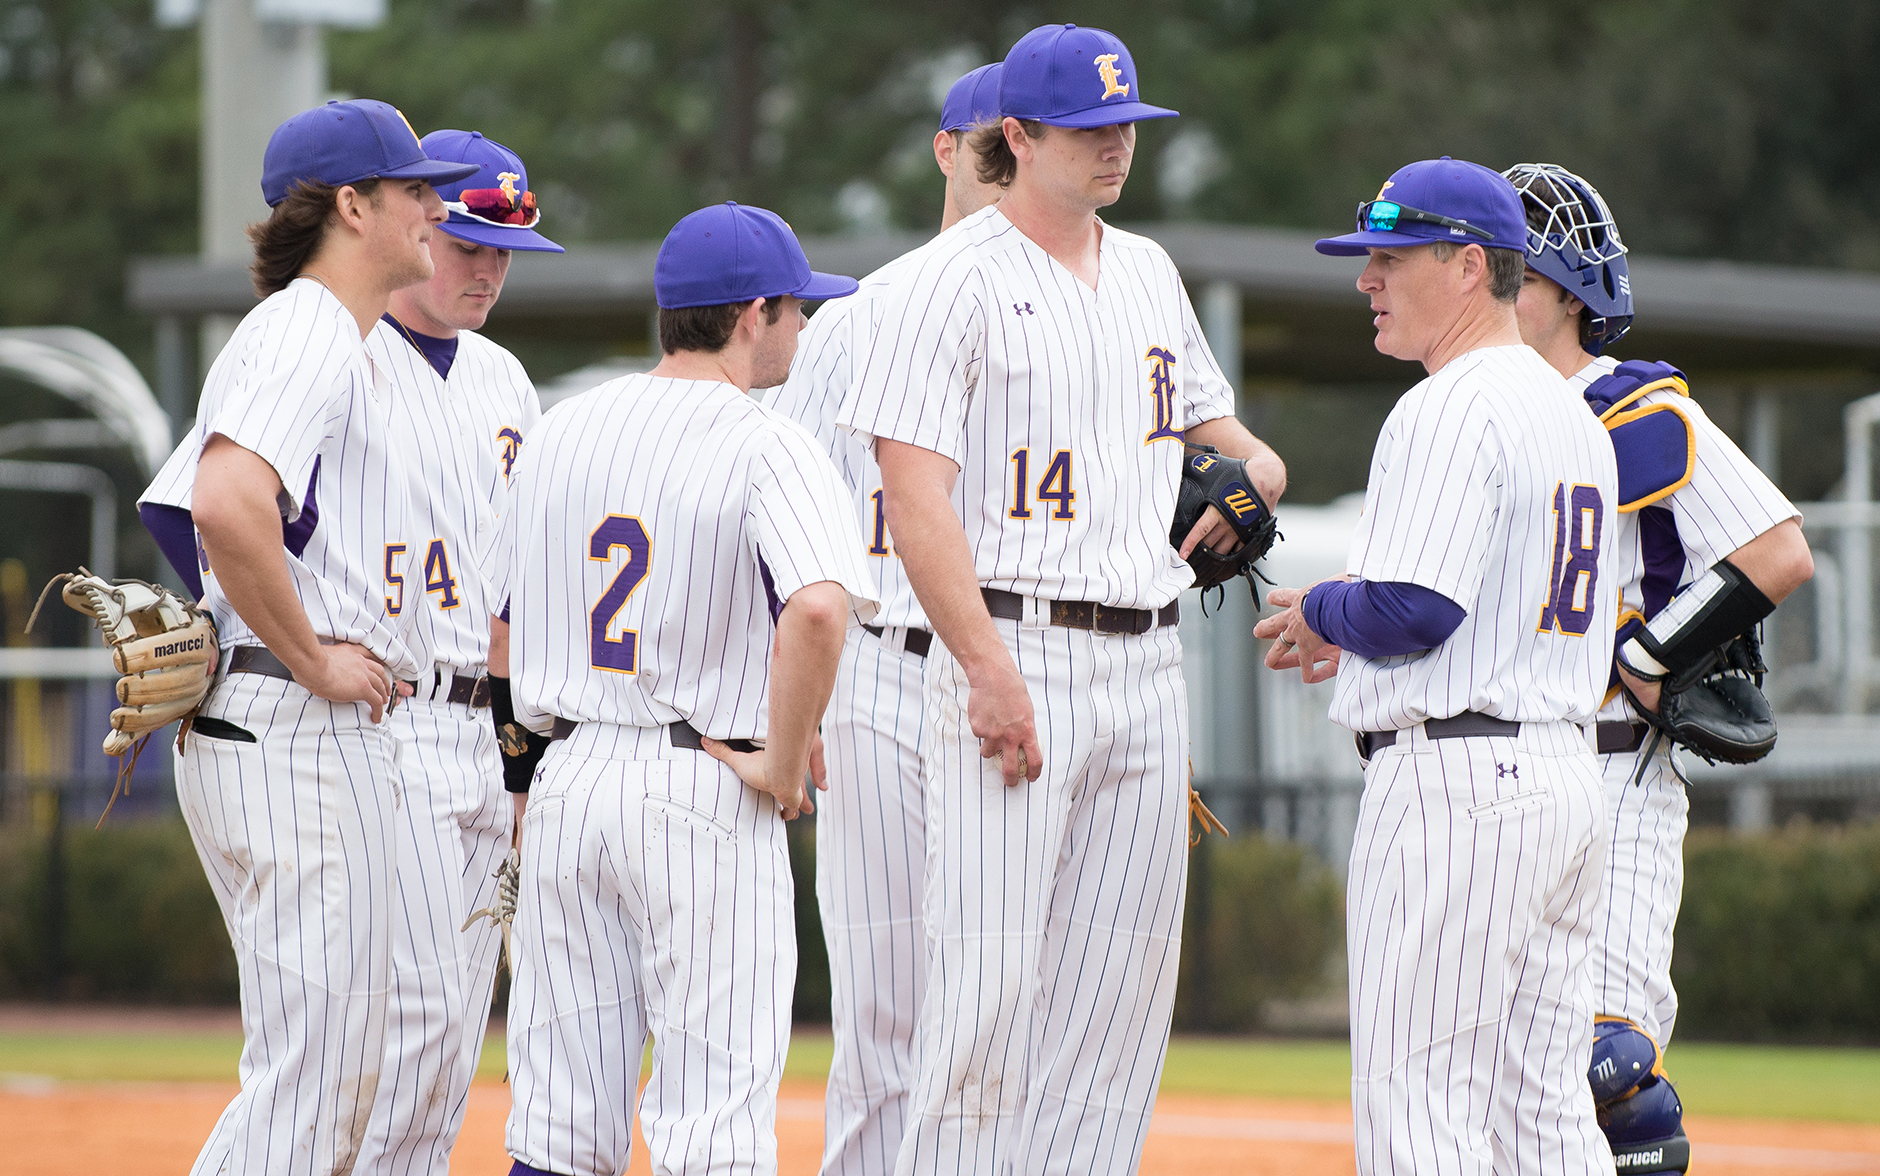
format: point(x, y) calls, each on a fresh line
point(345, 144)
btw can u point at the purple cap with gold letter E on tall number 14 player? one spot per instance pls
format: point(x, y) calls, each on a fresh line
point(1067, 76)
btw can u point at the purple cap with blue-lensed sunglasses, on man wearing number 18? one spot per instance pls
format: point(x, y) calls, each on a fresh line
point(1437, 200)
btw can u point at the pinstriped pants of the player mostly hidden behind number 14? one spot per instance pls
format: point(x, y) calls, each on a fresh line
point(871, 858)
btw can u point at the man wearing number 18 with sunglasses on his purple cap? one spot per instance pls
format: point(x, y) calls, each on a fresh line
point(1471, 645)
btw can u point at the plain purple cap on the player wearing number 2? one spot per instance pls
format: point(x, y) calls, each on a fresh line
point(732, 255)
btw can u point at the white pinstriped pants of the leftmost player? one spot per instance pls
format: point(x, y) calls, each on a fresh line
point(296, 835)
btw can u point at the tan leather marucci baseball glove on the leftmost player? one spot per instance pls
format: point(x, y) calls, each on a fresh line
point(164, 647)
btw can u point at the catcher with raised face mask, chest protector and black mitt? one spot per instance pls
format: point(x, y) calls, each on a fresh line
point(1706, 549)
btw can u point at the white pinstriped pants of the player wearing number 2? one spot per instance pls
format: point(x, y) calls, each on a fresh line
point(657, 899)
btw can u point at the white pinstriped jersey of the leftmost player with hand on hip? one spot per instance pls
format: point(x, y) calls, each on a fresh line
point(296, 388)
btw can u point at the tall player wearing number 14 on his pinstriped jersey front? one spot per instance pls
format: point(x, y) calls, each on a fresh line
point(1027, 397)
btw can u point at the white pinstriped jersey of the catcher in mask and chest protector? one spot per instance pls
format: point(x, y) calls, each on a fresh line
point(1725, 504)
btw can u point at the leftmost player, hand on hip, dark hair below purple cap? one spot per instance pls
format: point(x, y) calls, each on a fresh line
point(289, 777)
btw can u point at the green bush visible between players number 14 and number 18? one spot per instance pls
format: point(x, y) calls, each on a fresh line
point(1262, 923)
